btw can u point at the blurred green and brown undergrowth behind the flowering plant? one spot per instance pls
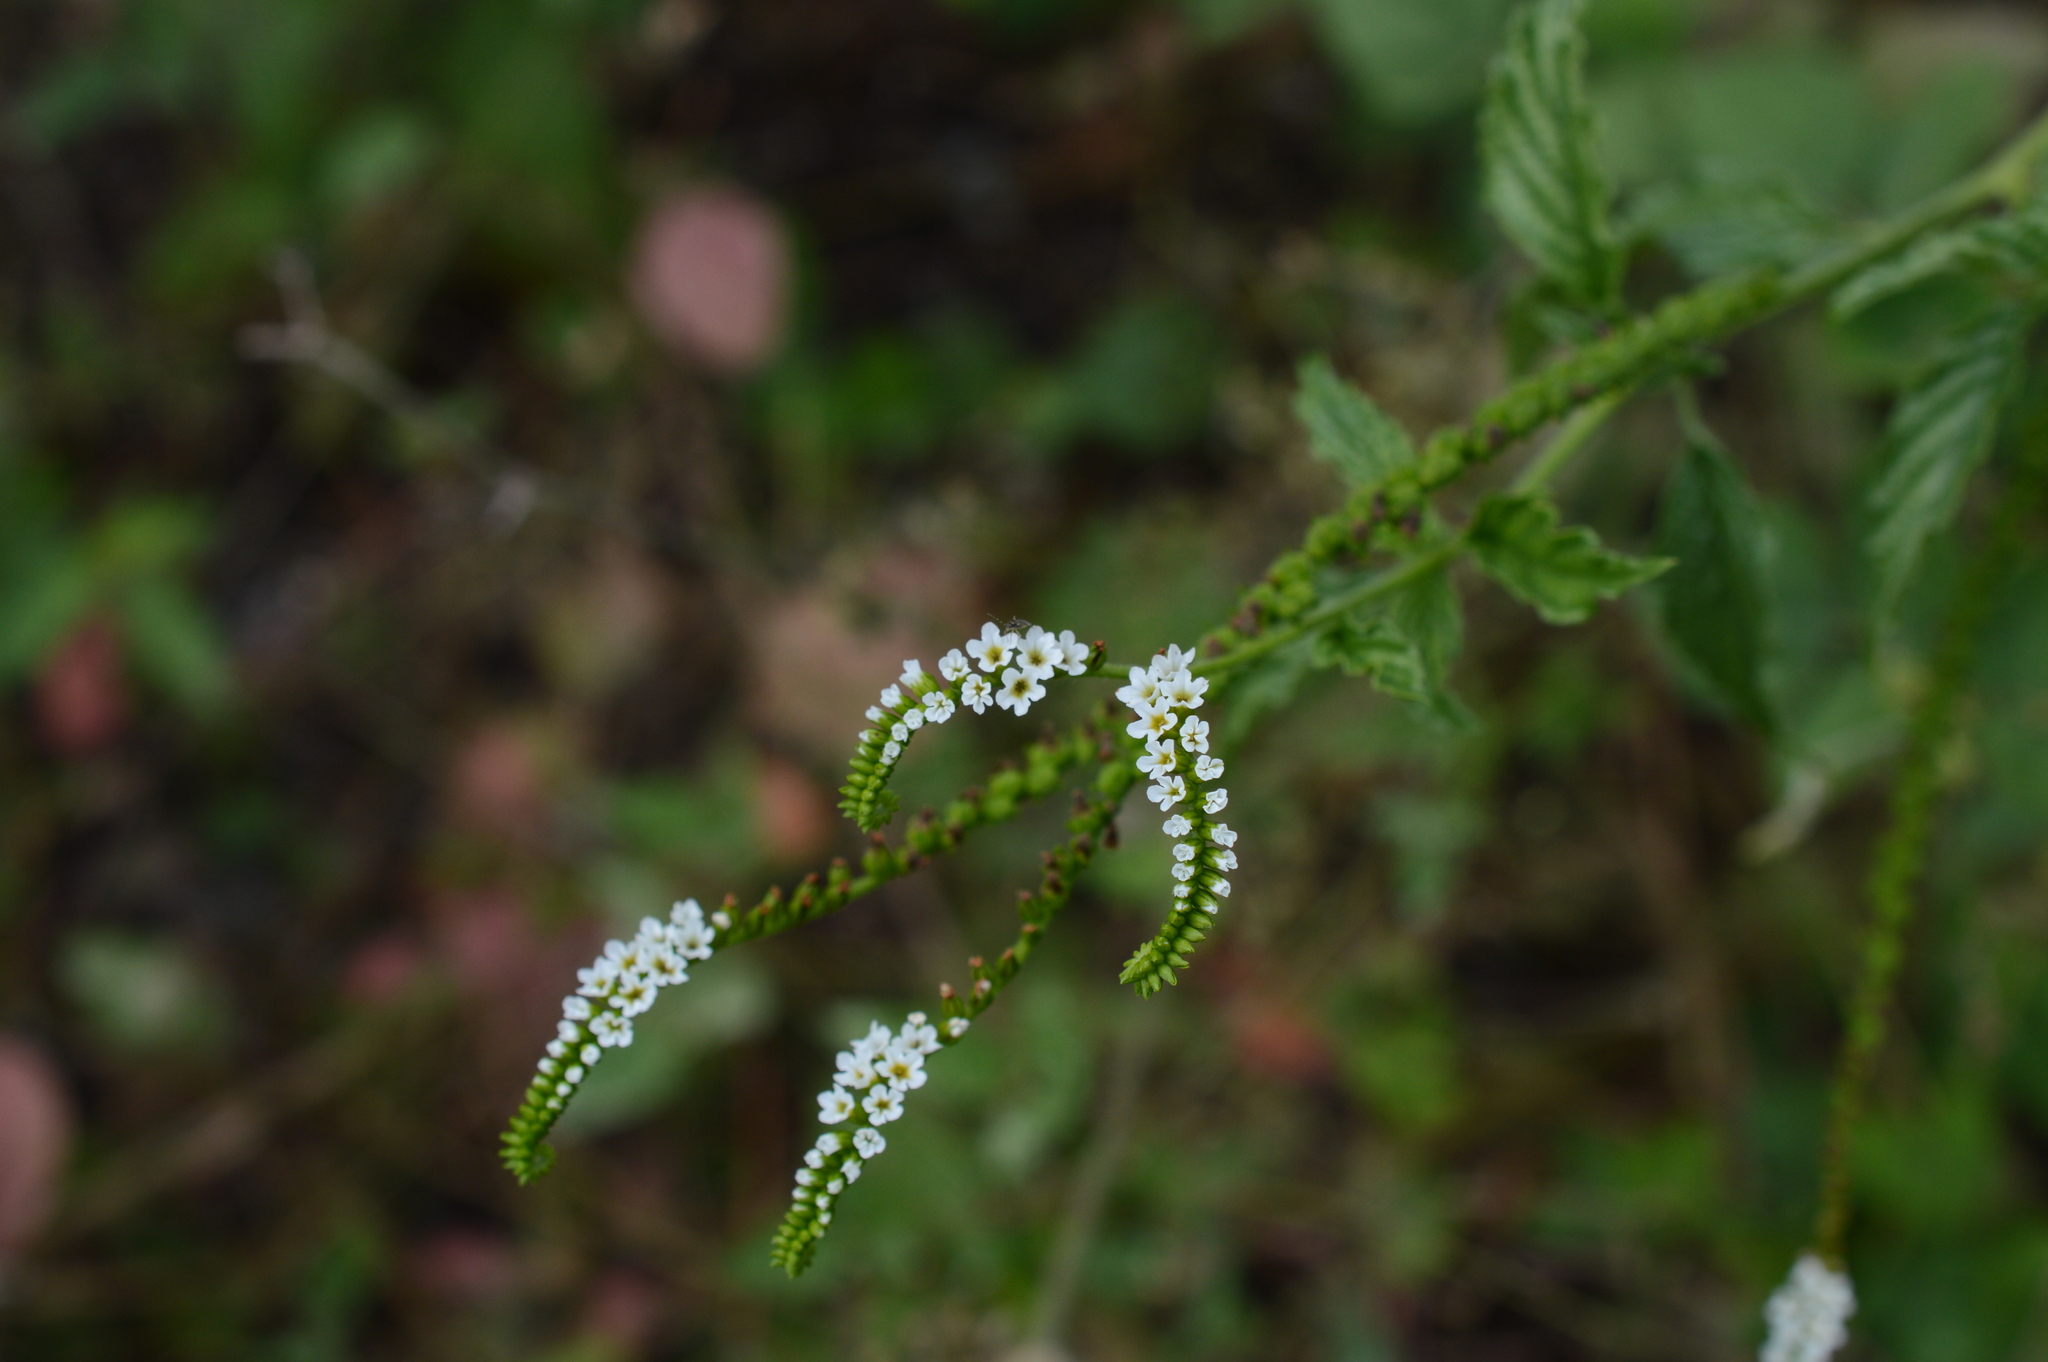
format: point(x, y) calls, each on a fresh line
point(466, 466)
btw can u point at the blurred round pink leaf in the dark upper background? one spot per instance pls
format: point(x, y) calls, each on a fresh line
point(712, 278)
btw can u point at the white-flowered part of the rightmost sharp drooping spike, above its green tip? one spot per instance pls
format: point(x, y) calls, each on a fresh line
point(1177, 742)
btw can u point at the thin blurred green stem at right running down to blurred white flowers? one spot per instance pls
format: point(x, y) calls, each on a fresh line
point(1904, 851)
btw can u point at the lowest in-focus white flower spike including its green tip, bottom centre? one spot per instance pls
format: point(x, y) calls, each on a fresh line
point(867, 1093)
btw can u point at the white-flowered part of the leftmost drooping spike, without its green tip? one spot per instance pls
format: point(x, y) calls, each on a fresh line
point(620, 986)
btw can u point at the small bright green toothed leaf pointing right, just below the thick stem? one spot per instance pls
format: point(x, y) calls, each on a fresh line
point(1519, 544)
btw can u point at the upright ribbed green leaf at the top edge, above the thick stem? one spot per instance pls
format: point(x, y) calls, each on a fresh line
point(1541, 161)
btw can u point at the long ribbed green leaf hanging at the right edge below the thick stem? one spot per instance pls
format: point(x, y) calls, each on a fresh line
point(1938, 435)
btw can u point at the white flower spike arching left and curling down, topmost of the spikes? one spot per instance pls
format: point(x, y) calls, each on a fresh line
point(964, 679)
